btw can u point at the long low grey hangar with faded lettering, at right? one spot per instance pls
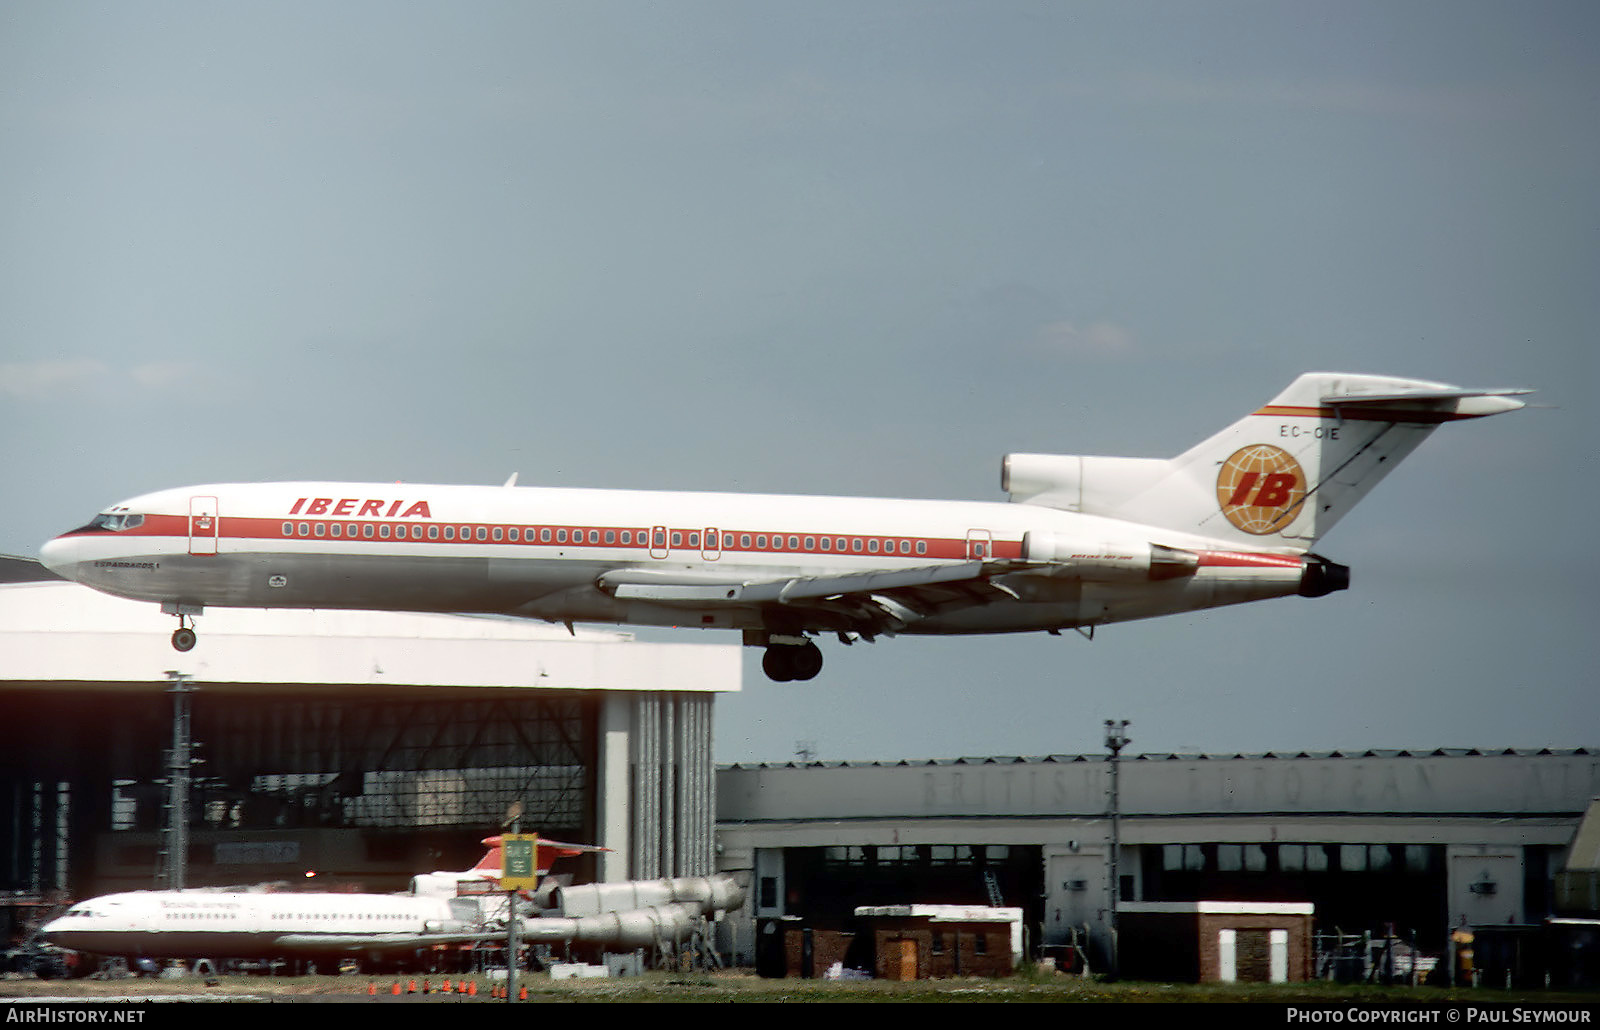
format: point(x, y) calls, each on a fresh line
point(1415, 840)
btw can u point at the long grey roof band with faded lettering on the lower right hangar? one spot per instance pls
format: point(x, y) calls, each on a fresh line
point(1390, 783)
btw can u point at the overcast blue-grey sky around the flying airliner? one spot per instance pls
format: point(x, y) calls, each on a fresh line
point(852, 249)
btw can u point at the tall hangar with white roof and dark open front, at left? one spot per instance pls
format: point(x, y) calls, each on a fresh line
point(361, 746)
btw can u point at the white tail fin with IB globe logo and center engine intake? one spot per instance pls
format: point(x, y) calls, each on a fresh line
point(1279, 477)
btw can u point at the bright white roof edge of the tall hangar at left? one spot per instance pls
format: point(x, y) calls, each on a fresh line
point(58, 636)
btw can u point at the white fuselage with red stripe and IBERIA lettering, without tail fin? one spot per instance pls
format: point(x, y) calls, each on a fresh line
point(559, 556)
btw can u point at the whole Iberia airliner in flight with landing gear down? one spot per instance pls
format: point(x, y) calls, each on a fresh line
point(1084, 541)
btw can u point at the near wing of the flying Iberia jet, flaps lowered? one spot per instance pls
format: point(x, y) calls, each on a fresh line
point(876, 602)
